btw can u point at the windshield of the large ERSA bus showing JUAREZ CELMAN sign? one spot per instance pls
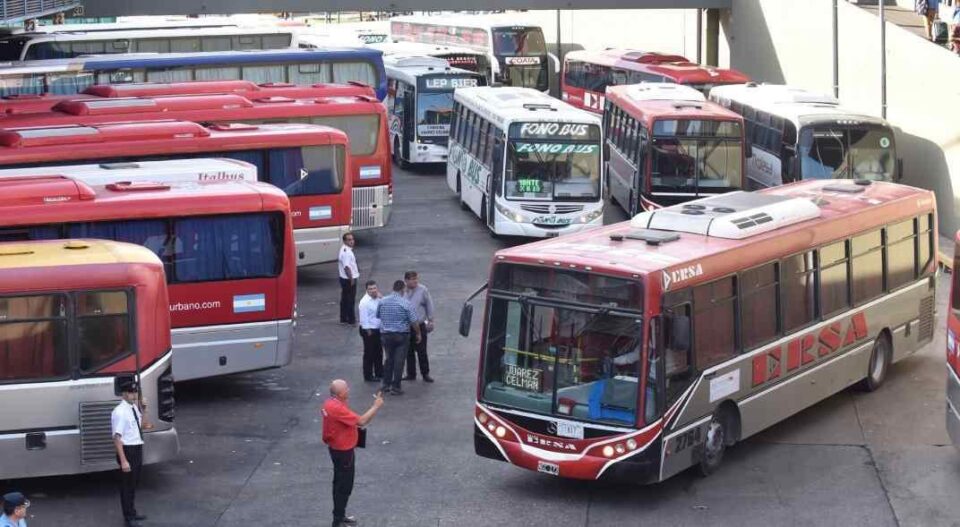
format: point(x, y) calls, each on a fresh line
point(564, 343)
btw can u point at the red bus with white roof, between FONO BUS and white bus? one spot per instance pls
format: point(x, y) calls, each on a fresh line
point(666, 144)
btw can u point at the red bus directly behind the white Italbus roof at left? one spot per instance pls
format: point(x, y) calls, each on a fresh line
point(309, 162)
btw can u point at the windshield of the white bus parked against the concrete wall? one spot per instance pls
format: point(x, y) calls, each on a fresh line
point(845, 153)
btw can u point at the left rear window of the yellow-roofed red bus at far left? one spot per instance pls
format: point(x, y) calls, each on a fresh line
point(33, 338)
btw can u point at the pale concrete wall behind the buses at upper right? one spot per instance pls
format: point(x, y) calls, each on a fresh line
point(790, 42)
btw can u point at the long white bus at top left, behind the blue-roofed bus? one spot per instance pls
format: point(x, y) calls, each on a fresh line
point(66, 45)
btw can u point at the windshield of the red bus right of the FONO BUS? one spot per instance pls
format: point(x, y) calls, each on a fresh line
point(689, 155)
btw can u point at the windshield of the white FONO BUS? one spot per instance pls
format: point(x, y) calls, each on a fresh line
point(545, 167)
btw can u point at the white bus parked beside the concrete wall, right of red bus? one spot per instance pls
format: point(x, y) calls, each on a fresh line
point(794, 134)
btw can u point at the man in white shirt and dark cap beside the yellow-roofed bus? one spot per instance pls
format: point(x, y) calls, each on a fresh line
point(126, 423)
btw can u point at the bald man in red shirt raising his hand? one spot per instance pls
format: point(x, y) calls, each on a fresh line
point(340, 426)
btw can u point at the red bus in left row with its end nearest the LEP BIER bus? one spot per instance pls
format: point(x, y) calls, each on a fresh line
point(352, 108)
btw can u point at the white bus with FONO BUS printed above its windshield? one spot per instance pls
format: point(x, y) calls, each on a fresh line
point(527, 164)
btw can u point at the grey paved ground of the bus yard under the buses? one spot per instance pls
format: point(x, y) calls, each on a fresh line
point(252, 453)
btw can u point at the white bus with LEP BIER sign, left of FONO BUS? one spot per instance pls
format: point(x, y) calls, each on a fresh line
point(420, 104)
